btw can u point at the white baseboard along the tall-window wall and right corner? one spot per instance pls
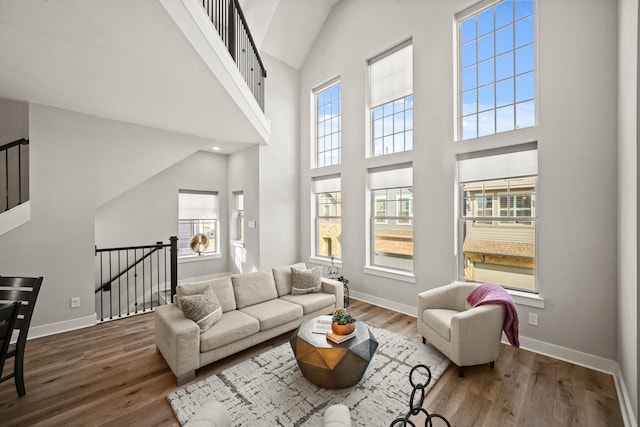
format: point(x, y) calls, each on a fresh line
point(587, 360)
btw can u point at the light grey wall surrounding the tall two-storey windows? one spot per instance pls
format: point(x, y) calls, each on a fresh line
point(576, 136)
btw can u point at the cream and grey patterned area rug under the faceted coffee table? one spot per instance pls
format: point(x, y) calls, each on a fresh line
point(269, 389)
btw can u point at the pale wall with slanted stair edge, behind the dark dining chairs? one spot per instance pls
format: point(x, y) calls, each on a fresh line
point(78, 162)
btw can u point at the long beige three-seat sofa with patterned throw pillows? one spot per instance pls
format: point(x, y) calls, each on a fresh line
point(255, 307)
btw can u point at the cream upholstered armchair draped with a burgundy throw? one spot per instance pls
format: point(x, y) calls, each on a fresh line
point(467, 336)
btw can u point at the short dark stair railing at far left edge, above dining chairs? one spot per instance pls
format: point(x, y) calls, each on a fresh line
point(14, 174)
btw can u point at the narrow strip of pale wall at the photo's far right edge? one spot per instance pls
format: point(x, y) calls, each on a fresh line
point(628, 114)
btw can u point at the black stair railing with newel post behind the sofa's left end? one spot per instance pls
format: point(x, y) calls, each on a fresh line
point(135, 279)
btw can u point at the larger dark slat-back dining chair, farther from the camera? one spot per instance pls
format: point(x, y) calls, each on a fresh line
point(25, 290)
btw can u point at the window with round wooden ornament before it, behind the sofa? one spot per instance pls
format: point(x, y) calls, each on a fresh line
point(197, 214)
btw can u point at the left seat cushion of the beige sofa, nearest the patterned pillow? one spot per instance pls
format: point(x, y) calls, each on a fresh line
point(231, 327)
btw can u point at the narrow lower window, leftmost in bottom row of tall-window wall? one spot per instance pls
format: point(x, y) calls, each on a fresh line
point(328, 205)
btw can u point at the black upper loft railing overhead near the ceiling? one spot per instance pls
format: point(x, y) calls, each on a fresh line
point(229, 21)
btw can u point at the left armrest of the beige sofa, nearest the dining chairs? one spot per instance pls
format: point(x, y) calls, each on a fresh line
point(178, 339)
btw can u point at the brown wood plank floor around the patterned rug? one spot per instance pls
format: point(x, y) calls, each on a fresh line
point(111, 375)
